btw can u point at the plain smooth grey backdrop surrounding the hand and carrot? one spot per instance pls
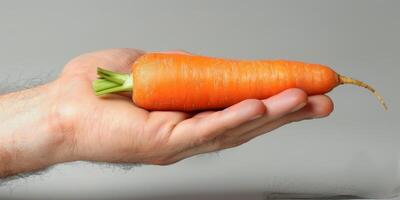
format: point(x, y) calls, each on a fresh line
point(354, 151)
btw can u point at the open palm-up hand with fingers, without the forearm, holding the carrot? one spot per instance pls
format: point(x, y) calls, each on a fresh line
point(113, 129)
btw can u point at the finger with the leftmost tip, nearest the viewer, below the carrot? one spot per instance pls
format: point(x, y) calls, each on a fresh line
point(196, 131)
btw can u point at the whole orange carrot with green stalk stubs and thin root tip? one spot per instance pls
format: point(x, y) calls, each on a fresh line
point(189, 83)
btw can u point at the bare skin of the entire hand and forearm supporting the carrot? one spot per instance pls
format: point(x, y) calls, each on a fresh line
point(63, 121)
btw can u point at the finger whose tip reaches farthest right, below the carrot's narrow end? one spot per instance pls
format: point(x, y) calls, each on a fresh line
point(317, 107)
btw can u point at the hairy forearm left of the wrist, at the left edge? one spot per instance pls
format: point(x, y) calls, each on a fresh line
point(29, 139)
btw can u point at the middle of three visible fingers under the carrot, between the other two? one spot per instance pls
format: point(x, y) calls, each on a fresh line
point(277, 106)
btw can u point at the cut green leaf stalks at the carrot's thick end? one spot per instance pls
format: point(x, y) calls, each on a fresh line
point(111, 82)
